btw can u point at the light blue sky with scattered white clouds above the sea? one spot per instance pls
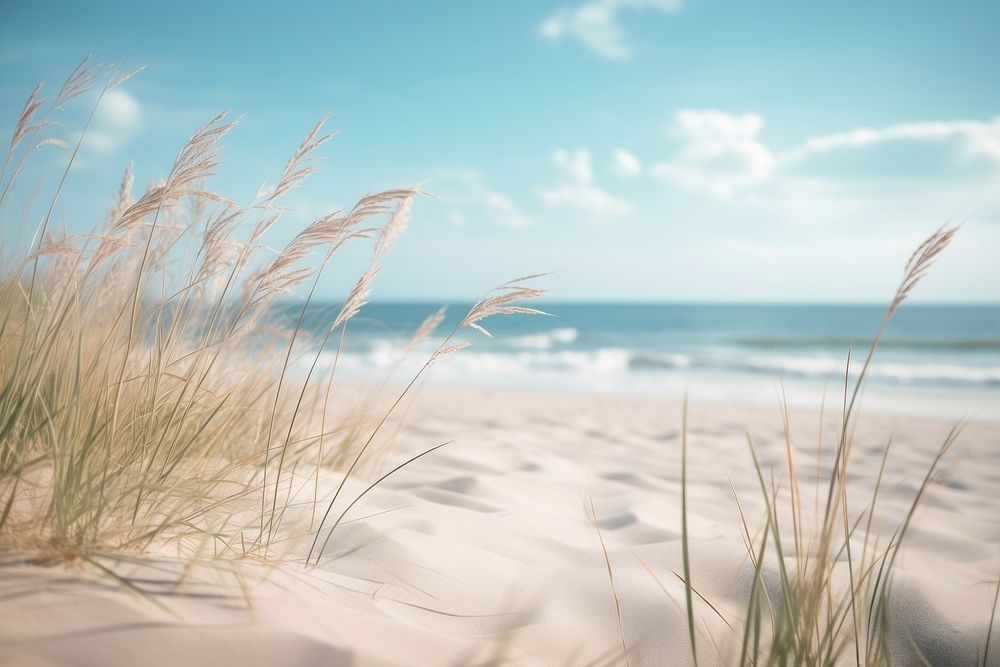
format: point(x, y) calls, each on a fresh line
point(640, 150)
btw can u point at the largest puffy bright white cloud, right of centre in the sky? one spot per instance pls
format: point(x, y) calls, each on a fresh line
point(720, 152)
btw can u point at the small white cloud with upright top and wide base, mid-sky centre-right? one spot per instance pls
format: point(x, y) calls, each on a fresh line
point(576, 188)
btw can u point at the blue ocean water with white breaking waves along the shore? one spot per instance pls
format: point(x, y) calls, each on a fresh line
point(941, 360)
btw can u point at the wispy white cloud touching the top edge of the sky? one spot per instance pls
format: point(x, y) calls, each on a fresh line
point(595, 23)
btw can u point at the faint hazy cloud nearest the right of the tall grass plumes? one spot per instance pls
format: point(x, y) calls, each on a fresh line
point(467, 197)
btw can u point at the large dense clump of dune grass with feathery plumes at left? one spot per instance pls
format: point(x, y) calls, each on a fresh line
point(148, 391)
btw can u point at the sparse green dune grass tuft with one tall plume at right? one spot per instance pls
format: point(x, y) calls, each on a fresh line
point(814, 615)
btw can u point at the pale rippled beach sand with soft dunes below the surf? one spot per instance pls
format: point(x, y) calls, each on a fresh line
point(485, 551)
